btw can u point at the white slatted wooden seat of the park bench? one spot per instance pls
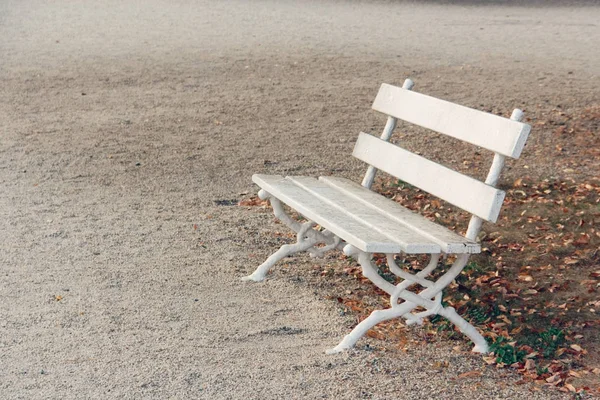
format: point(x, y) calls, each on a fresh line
point(371, 222)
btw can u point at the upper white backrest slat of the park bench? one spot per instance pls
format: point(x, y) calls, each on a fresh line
point(498, 134)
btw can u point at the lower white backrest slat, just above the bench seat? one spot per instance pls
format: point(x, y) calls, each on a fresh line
point(464, 192)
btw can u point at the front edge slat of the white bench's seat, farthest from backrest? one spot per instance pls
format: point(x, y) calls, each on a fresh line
point(326, 215)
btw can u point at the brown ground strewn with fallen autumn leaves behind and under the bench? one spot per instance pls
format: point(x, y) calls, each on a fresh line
point(533, 290)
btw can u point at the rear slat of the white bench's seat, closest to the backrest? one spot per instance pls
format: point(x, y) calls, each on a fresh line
point(449, 241)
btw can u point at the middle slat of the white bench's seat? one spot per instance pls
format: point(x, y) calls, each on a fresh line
point(410, 241)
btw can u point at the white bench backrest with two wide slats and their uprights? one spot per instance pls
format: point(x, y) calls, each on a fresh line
point(505, 137)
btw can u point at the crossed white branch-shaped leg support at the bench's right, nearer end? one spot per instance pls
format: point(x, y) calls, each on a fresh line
point(411, 301)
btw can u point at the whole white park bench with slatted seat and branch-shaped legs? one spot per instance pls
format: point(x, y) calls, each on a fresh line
point(362, 222)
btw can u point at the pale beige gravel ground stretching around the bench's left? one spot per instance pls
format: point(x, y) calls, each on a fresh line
point(129, 131)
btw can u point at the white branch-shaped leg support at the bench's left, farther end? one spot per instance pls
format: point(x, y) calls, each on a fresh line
point(307, 238)
